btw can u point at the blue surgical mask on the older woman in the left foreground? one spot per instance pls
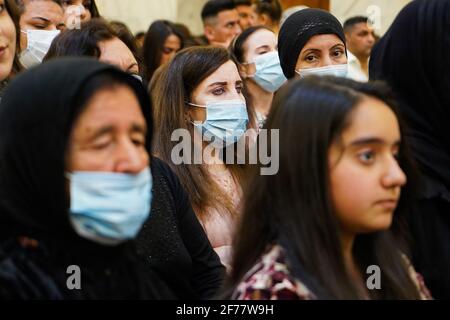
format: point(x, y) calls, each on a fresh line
point(109, 208)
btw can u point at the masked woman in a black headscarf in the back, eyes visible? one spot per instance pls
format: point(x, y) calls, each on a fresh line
point(312, 42)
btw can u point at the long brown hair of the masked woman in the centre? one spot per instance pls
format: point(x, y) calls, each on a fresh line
point(171, 87)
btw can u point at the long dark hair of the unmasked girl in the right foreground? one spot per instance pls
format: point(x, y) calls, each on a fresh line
point(310, 115)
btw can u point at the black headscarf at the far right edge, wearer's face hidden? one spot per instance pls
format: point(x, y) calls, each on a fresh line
point(414, 58)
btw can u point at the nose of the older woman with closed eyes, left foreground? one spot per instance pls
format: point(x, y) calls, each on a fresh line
point(129, 158)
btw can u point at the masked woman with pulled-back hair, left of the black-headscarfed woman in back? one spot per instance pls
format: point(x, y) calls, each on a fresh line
point(256, 51)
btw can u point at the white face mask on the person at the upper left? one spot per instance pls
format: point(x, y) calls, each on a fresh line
point(39, 42)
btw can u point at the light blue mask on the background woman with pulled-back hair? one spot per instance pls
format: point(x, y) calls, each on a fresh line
point(269, 74)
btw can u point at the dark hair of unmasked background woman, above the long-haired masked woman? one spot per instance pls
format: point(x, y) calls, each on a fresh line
point(155, 38)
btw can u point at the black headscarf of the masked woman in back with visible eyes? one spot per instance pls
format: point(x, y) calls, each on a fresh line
point(298, 29)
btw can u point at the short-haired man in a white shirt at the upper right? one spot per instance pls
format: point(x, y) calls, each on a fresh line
point(360, 40)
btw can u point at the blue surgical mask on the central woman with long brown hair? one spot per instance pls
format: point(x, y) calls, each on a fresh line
point(226, 121)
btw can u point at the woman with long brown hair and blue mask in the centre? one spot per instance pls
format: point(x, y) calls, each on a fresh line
point(198, 96)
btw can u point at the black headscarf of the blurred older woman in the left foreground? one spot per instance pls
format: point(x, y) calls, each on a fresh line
point(37, 114)
